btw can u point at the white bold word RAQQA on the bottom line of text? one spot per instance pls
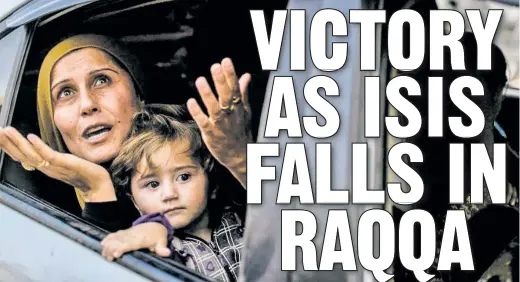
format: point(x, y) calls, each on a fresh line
point(337, 228)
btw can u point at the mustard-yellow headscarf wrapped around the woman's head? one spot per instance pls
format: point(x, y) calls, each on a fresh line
point(48, 131)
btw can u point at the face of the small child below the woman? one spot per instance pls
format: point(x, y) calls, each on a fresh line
point(176, 186)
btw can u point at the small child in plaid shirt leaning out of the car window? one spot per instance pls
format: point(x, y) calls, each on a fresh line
point(167, 171)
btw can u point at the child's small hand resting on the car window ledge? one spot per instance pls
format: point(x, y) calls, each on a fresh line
point(150, 235)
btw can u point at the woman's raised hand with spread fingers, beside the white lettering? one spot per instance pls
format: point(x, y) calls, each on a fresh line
point(227, 129)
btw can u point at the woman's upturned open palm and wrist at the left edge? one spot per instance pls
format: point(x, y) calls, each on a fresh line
point(92, 179)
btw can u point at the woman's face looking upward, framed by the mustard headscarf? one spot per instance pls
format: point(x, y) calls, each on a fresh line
point(94, 100)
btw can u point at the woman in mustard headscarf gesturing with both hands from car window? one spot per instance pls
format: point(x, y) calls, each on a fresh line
point(89, 88)
